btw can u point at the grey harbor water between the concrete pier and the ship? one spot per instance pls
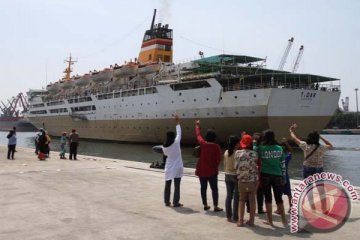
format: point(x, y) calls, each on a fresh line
point(344, 159)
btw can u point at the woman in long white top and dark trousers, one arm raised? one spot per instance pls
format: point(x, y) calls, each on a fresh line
point(174, 167)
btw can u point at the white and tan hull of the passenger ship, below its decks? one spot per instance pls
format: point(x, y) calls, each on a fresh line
point(150, 117)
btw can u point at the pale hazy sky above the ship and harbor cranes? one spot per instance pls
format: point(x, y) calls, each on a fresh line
point(38, 35)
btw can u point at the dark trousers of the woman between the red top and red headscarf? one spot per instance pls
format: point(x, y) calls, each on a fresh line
point(232, 197)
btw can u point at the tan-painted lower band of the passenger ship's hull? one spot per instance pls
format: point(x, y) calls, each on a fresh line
point(154, 131)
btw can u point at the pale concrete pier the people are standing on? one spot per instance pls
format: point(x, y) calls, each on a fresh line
point(98, 198)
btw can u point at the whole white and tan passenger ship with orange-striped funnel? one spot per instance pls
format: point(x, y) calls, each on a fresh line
point(135, 102)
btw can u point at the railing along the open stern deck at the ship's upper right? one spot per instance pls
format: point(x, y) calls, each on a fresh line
point(322, 87)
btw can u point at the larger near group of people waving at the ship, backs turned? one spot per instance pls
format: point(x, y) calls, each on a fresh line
point(255, 166)
